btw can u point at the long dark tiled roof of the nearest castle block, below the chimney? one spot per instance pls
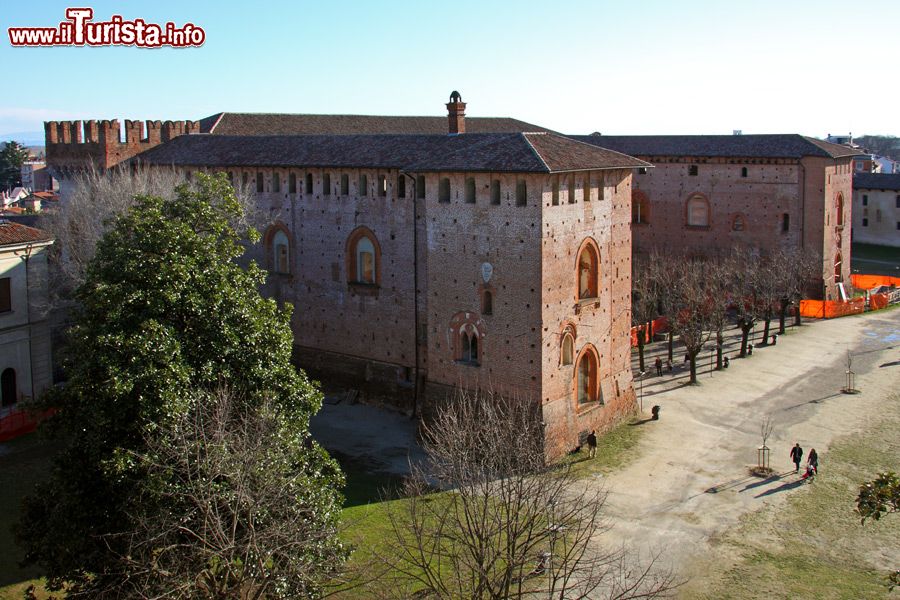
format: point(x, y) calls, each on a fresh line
point(514, 152)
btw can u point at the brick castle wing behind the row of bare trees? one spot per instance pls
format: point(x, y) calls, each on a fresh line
point(710, 193)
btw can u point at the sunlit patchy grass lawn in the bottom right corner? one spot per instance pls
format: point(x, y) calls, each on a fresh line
point(815, 547)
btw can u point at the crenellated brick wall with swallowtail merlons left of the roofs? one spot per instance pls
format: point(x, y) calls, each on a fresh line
point(77, 144)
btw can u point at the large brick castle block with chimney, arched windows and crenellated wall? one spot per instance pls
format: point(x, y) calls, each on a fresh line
point(424, 253)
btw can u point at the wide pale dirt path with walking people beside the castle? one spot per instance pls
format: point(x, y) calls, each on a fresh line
point(690, 480)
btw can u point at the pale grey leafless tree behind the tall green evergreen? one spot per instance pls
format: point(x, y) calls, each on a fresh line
point(96, 198)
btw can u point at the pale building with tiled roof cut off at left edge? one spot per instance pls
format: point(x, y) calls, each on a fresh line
point(25, 354)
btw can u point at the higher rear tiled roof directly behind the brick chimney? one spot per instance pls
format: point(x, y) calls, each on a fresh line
point(288, 124)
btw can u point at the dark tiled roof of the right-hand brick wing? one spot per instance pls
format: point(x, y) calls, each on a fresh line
point(789, 145)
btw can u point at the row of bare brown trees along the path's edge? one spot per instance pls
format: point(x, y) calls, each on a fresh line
point(700, 297)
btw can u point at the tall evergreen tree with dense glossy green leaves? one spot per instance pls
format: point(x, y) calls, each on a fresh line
point(164, 311)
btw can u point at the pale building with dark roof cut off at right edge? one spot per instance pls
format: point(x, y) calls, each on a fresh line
point(876, 208)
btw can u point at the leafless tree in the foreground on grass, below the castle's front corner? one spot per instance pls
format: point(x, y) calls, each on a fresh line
point(506, 525)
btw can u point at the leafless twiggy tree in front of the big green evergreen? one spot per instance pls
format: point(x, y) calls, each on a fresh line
point(229, 511)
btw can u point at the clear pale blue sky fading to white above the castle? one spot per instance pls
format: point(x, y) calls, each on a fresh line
point(639, 67)
